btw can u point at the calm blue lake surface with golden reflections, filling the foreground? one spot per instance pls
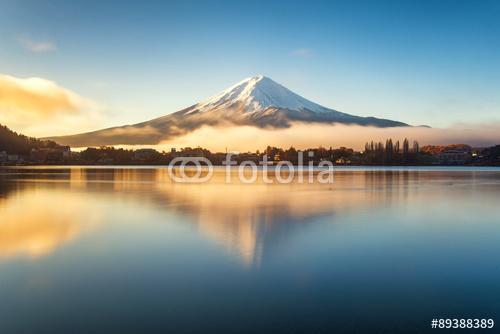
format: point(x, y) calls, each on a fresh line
point(102, 250)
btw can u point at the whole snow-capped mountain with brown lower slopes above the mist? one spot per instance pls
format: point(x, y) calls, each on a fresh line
point(257, 101)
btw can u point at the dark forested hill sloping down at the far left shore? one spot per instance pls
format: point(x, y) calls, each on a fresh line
point(15, 143)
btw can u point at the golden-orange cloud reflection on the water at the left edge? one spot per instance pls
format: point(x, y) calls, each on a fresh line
point(35, 223)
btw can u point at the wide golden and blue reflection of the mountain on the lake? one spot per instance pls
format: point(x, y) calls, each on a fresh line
point(250, 219)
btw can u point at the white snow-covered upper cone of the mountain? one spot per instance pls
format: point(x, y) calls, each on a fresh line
point(258, 93)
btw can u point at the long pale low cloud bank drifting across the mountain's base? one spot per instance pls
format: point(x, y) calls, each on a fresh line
point(301, 135)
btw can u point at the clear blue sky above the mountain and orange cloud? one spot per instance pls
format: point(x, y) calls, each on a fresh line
point(421, 62)
